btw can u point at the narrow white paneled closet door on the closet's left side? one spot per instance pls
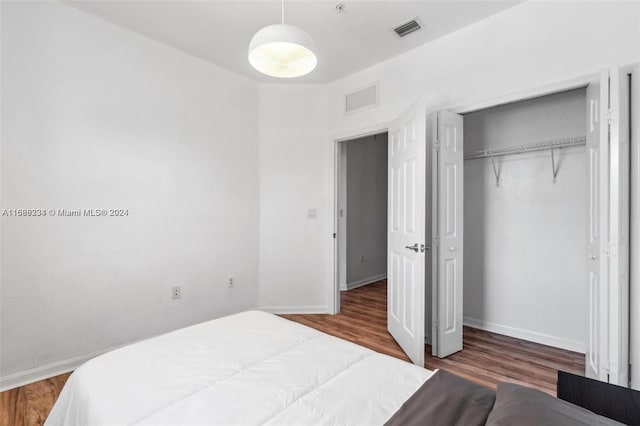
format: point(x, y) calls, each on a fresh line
point(447, 204)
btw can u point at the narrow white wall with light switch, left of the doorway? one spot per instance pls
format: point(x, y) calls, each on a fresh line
point(294, 177)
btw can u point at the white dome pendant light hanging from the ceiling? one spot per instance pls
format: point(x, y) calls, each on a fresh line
point(282, 51)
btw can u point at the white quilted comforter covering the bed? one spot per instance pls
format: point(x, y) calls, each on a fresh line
point(244, 369)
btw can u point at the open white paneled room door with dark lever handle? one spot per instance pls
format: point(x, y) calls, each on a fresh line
point(406, 227)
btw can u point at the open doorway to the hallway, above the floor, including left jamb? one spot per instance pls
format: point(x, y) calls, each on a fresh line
point(362, 210)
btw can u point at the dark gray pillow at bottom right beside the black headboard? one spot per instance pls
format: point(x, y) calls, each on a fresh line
point(519, 405)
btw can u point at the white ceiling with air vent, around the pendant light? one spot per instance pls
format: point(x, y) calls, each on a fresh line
point(360, 36)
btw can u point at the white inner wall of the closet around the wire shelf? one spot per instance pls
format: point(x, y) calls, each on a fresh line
point(524, 253)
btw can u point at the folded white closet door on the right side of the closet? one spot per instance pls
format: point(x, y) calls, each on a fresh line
point(607, 349)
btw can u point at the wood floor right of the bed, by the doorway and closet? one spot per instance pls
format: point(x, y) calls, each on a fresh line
point(487, 358)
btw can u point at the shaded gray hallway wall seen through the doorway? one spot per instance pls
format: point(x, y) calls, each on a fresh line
point(366, 210)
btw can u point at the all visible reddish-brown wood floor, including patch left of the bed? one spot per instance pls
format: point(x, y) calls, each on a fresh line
point(487, 358)
